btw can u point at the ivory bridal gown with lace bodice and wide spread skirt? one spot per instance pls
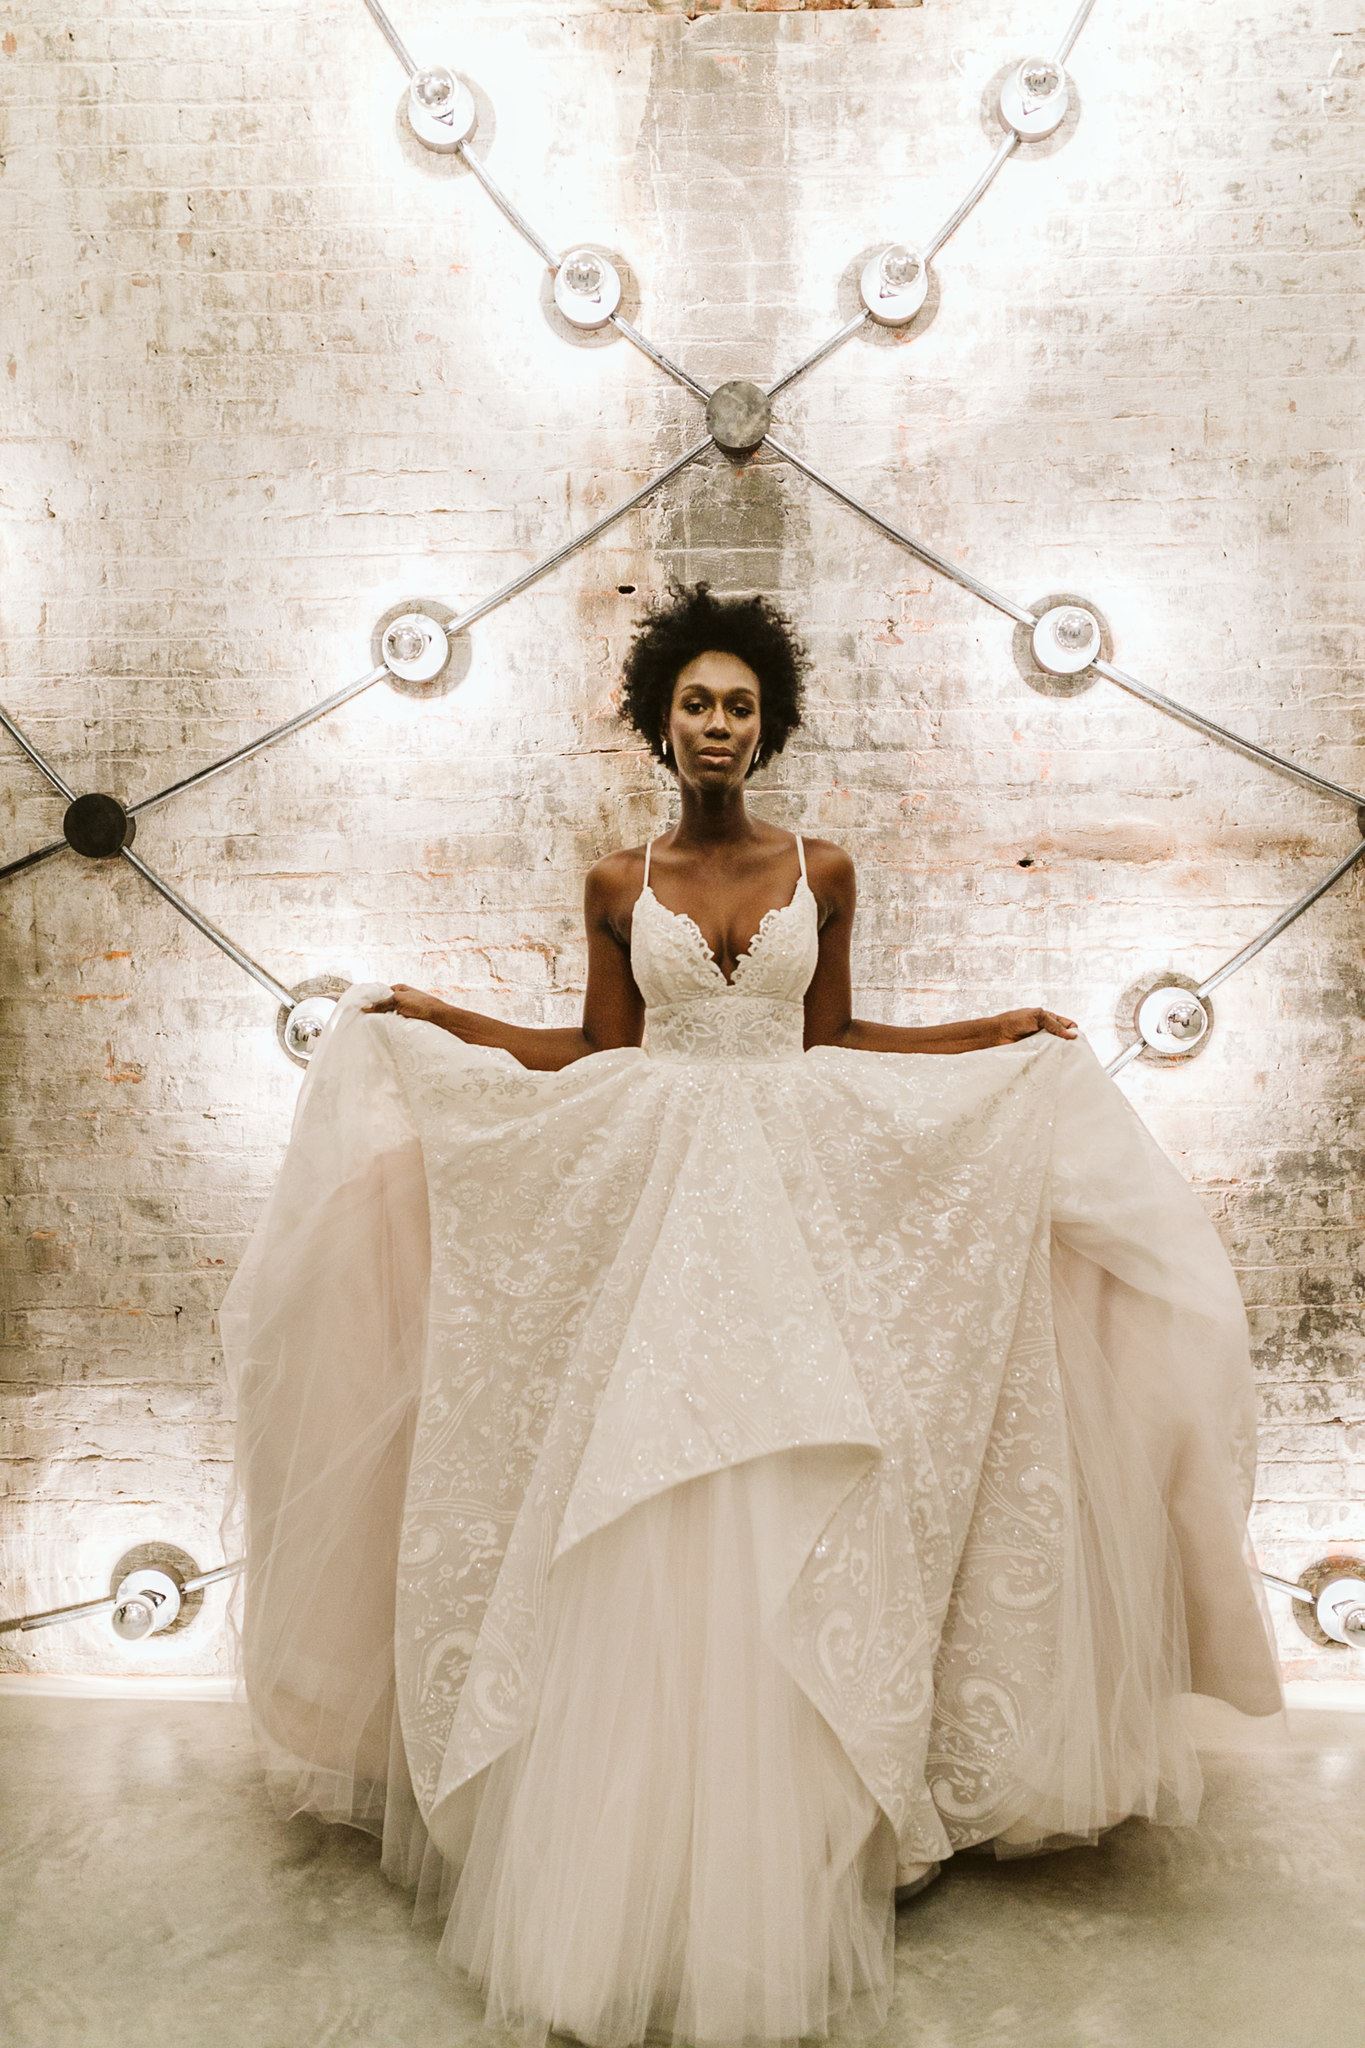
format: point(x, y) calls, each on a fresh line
point(695, 1494)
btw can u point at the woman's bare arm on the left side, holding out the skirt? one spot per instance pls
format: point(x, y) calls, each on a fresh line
point(613, 1009)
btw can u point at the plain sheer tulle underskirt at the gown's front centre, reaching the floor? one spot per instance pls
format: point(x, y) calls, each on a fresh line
point(680, 1846)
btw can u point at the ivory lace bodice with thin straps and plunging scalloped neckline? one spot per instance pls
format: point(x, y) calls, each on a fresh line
point(693, 1011)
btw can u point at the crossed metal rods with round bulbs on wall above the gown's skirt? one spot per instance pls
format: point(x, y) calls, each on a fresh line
point(1067, 638)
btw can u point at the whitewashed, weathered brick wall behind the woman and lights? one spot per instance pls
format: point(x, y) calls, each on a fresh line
point(267, 368)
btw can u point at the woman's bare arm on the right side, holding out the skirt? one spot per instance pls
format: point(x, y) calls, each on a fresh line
point(830, 1011)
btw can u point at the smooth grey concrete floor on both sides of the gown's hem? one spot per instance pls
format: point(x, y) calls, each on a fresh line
point(148, 1900)
